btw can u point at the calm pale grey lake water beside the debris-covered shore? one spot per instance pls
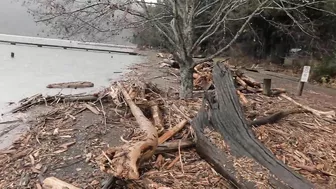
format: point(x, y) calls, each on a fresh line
point(33, 68)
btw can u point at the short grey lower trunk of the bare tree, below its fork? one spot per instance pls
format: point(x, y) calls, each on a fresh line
point(187, 85)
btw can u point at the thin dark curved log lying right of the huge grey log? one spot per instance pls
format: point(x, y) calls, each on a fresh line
point(275, 117)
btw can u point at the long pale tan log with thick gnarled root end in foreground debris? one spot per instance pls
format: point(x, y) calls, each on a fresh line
point(124, 161)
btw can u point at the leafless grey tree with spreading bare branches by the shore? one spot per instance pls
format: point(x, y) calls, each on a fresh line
point(177, 21)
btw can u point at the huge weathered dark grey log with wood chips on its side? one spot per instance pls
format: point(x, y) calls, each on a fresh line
point(225, 140)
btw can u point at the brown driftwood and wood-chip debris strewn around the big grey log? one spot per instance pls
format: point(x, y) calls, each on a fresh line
point(155, 141)
